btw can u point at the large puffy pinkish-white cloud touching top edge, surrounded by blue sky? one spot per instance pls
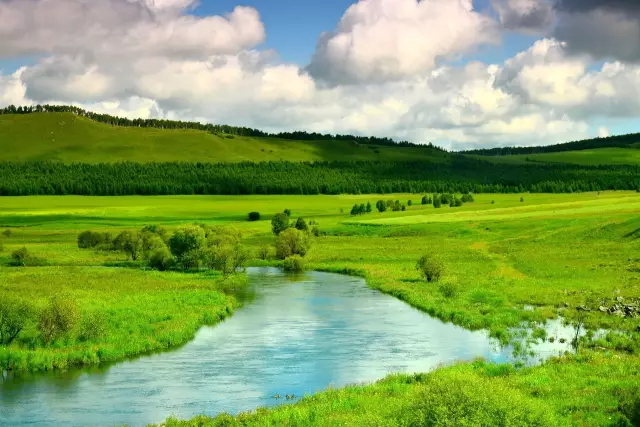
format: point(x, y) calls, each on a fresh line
point(382, 40)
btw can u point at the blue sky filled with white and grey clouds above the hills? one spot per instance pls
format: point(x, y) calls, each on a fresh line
point(458, 73)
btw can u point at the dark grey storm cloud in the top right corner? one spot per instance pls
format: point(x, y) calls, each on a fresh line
point(604, 29)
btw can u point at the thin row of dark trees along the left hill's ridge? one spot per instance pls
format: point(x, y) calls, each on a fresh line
point(208, 127)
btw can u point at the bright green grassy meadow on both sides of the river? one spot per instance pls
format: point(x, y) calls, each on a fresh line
point(508, 258)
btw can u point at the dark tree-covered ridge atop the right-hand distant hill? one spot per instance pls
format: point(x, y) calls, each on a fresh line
point(616, 141)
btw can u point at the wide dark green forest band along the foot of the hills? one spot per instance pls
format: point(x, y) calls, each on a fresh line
point(461, 176)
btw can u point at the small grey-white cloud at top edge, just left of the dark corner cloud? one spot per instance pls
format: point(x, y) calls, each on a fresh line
point(530, 16)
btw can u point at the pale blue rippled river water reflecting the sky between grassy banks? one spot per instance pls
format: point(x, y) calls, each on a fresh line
point(295, 338)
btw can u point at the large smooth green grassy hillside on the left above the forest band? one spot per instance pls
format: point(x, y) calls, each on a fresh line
point(69, 138)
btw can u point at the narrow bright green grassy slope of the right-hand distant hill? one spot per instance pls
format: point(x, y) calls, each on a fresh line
point(599, 156)
